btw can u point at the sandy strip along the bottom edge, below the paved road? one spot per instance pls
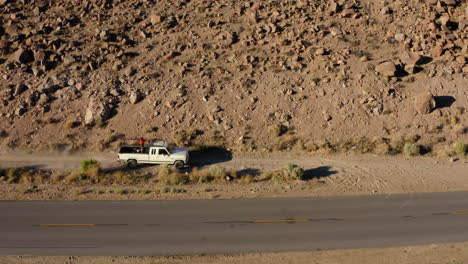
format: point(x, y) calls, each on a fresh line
point(440, 254)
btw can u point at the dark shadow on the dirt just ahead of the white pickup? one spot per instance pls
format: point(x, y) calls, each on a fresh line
point(209, 156)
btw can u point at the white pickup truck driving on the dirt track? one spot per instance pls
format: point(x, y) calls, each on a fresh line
point(159, 152)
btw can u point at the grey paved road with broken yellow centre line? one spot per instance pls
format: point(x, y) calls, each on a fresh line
point(230, 226)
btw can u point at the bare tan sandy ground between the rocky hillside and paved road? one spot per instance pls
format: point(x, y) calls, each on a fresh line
point(330, 176)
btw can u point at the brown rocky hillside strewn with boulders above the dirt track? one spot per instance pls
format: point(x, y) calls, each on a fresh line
point(249, 75)
